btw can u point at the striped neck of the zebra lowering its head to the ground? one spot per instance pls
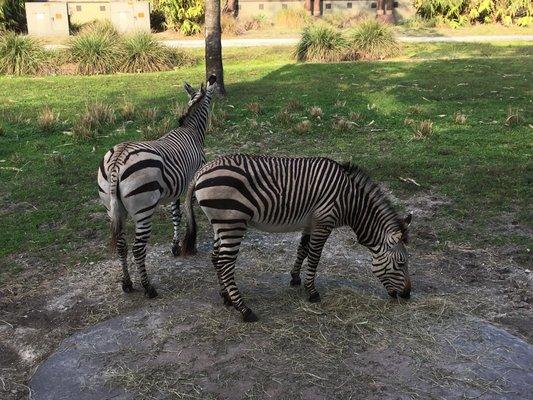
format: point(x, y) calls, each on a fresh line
point(371, 215)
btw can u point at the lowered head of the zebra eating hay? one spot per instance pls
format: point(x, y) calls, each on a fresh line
point(390, 262)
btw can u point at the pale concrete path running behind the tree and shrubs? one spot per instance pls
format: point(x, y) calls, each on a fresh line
point(258, 42)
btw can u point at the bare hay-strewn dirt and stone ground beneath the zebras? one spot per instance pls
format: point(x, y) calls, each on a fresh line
point(466, 332)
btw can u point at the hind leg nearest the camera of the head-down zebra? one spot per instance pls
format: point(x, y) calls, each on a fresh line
point(227, 255)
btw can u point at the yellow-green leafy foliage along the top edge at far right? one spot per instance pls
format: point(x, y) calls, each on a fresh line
point(461, 12)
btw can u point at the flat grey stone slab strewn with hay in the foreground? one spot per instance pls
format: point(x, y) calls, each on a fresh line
point(86, 366)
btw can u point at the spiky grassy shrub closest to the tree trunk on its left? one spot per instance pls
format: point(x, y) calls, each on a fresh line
point(144, 53)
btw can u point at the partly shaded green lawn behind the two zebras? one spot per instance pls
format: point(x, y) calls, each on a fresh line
point(48, 195)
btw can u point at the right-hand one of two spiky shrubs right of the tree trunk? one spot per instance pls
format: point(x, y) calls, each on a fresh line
point(372, 40)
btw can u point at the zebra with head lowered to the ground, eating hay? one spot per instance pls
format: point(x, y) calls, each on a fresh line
point(282, 194)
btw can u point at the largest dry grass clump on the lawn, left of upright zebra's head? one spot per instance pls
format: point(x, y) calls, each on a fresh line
point(95, 118)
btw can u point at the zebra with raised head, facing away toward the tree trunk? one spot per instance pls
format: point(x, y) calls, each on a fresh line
point(134, 177)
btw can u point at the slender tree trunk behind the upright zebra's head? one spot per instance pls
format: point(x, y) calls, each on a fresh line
point(213, 43)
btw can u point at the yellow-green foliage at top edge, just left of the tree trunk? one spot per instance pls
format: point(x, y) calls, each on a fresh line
point(183, 15)
